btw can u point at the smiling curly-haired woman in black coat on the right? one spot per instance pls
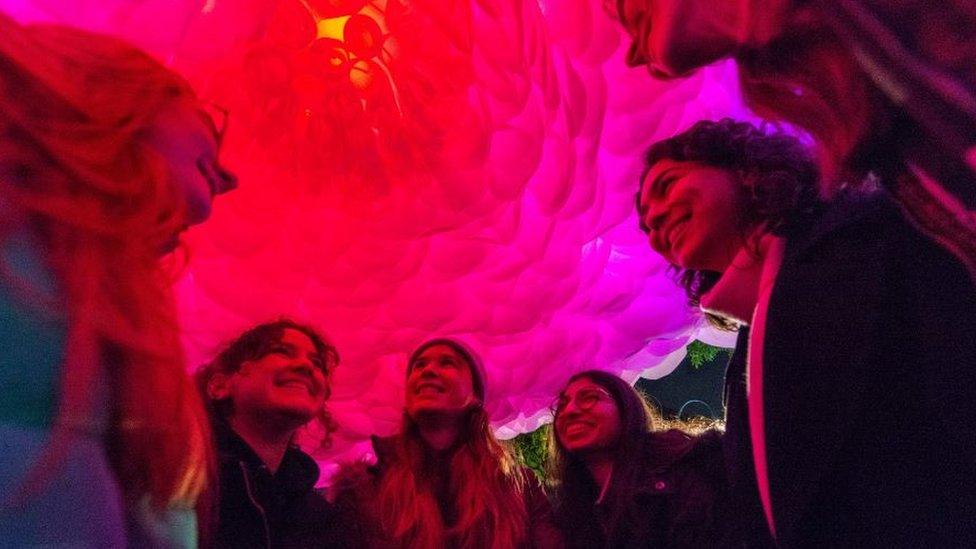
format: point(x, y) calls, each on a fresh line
point(855, 349)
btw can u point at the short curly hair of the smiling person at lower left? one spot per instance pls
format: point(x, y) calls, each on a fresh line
point(253, 344)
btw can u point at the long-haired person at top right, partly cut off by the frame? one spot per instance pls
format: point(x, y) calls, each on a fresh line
point(883, 87)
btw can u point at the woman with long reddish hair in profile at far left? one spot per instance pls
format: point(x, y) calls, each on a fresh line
point(105, 156)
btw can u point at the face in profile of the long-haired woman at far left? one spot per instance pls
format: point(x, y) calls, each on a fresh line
point(187, 140)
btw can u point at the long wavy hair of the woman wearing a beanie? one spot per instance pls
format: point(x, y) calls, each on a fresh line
point(484, 482)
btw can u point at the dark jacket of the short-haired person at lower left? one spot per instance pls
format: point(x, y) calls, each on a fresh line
point(258, 509)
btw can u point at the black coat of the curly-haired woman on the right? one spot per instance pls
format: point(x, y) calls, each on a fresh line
point(868, 385)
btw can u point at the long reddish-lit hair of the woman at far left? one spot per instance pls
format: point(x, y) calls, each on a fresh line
point(77, 173)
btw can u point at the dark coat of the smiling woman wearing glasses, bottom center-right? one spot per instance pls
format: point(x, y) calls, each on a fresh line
point(681, 500)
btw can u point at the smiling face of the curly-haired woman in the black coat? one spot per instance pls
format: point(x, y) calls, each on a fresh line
point(692, 214)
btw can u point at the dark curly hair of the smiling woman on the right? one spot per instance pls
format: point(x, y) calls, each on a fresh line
point(779, 174)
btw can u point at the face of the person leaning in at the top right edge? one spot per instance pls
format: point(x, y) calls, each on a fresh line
point(674, 37)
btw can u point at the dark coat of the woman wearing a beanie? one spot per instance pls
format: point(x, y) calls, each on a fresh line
point(355, 490)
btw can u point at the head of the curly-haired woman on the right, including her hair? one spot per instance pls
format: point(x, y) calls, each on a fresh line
point(712, 189)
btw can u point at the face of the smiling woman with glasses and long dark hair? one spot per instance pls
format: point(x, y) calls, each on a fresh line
point(586, 418)
